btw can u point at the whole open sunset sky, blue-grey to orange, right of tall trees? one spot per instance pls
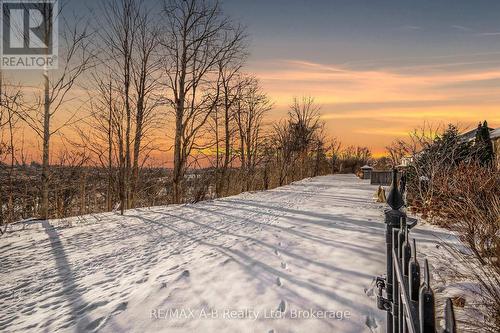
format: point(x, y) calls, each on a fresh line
point(377, 68)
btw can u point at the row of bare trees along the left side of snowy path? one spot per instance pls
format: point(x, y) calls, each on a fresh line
point(136, 72)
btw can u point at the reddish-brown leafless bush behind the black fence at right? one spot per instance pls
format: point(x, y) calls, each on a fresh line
point(450, 185)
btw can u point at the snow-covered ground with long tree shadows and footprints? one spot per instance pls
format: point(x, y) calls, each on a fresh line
point(300, 258)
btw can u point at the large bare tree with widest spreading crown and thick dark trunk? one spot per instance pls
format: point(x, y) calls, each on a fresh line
point(195, 43)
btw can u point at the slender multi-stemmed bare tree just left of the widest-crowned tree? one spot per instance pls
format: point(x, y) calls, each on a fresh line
point(129, 45)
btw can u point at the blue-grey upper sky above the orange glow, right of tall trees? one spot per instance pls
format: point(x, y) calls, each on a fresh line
point(361, 30)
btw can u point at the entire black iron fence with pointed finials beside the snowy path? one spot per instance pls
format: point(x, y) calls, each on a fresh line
point(409, 299)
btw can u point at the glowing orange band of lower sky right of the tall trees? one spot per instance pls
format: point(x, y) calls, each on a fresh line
point(373, 107)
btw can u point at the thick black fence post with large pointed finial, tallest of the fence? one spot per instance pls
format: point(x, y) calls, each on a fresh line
point(392, 220)
